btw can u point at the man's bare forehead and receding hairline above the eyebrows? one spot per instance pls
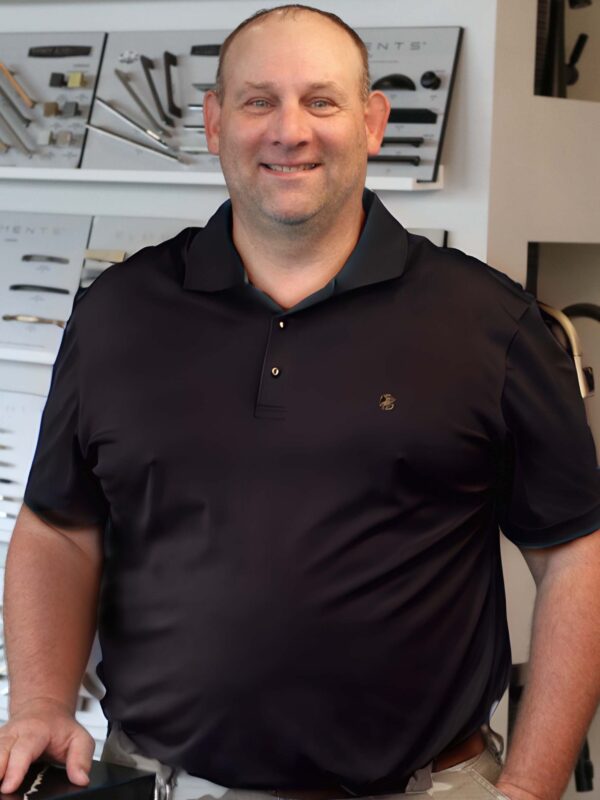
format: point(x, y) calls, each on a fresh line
point(303, 45)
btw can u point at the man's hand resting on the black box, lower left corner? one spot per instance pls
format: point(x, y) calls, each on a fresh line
point(43, 727)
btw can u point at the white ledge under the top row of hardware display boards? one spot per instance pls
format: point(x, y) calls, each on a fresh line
point(384, 183)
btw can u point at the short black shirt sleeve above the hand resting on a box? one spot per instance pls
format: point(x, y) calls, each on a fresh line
point(61, 488)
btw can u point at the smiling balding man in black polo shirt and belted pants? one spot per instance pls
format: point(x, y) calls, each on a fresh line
point(301, 427)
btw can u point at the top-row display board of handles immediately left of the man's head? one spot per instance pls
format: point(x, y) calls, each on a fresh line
point(148, 108)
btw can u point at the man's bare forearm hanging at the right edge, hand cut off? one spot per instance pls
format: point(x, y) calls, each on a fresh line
point(563, 686)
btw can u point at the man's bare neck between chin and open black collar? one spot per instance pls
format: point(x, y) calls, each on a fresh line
point(290, 262)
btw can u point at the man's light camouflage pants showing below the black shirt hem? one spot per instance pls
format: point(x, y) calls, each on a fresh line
point(473, 779)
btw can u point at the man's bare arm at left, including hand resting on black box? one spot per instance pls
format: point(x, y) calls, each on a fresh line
point(50, 600)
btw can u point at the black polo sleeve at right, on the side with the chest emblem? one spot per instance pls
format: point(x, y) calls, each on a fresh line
point(550, 489)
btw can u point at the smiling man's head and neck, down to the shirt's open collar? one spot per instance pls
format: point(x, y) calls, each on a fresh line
point(293, 129)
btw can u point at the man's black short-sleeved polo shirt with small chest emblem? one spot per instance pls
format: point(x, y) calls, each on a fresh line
point(303, 584)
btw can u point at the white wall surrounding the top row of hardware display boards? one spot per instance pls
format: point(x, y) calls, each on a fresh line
point(462, 207)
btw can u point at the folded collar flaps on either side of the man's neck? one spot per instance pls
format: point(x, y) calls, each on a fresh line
point(213, 263)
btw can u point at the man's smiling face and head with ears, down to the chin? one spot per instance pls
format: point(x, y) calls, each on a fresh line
point(293, 131)
